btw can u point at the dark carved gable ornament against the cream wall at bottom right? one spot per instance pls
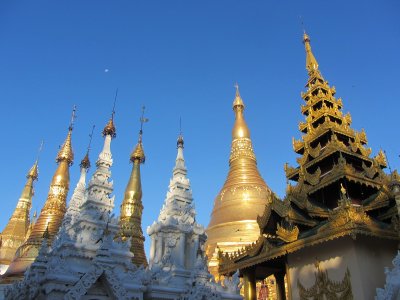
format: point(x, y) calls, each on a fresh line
point(325, 288)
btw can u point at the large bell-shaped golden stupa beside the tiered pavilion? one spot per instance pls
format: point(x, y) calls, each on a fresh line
point(242, 198)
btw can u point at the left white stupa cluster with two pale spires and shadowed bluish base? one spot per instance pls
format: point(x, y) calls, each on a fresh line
point(84, 261)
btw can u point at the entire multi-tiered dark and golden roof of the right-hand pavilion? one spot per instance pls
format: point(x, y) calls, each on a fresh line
point(339, 189)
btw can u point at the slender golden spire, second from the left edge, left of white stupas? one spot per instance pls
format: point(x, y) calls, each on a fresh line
point(52, 213)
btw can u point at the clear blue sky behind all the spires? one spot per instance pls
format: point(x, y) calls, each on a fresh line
point(182, 58)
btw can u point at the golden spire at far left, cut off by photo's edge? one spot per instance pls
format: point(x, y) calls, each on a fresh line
point(14, 234)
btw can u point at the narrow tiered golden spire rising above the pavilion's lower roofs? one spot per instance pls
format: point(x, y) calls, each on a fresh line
point(333, 155)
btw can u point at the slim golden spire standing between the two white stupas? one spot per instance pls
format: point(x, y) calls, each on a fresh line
point(132, 207)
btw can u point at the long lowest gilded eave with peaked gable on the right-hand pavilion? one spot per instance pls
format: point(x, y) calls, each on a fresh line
point(344, 221)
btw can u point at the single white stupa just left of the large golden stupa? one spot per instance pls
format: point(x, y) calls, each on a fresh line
point(178, 266)
